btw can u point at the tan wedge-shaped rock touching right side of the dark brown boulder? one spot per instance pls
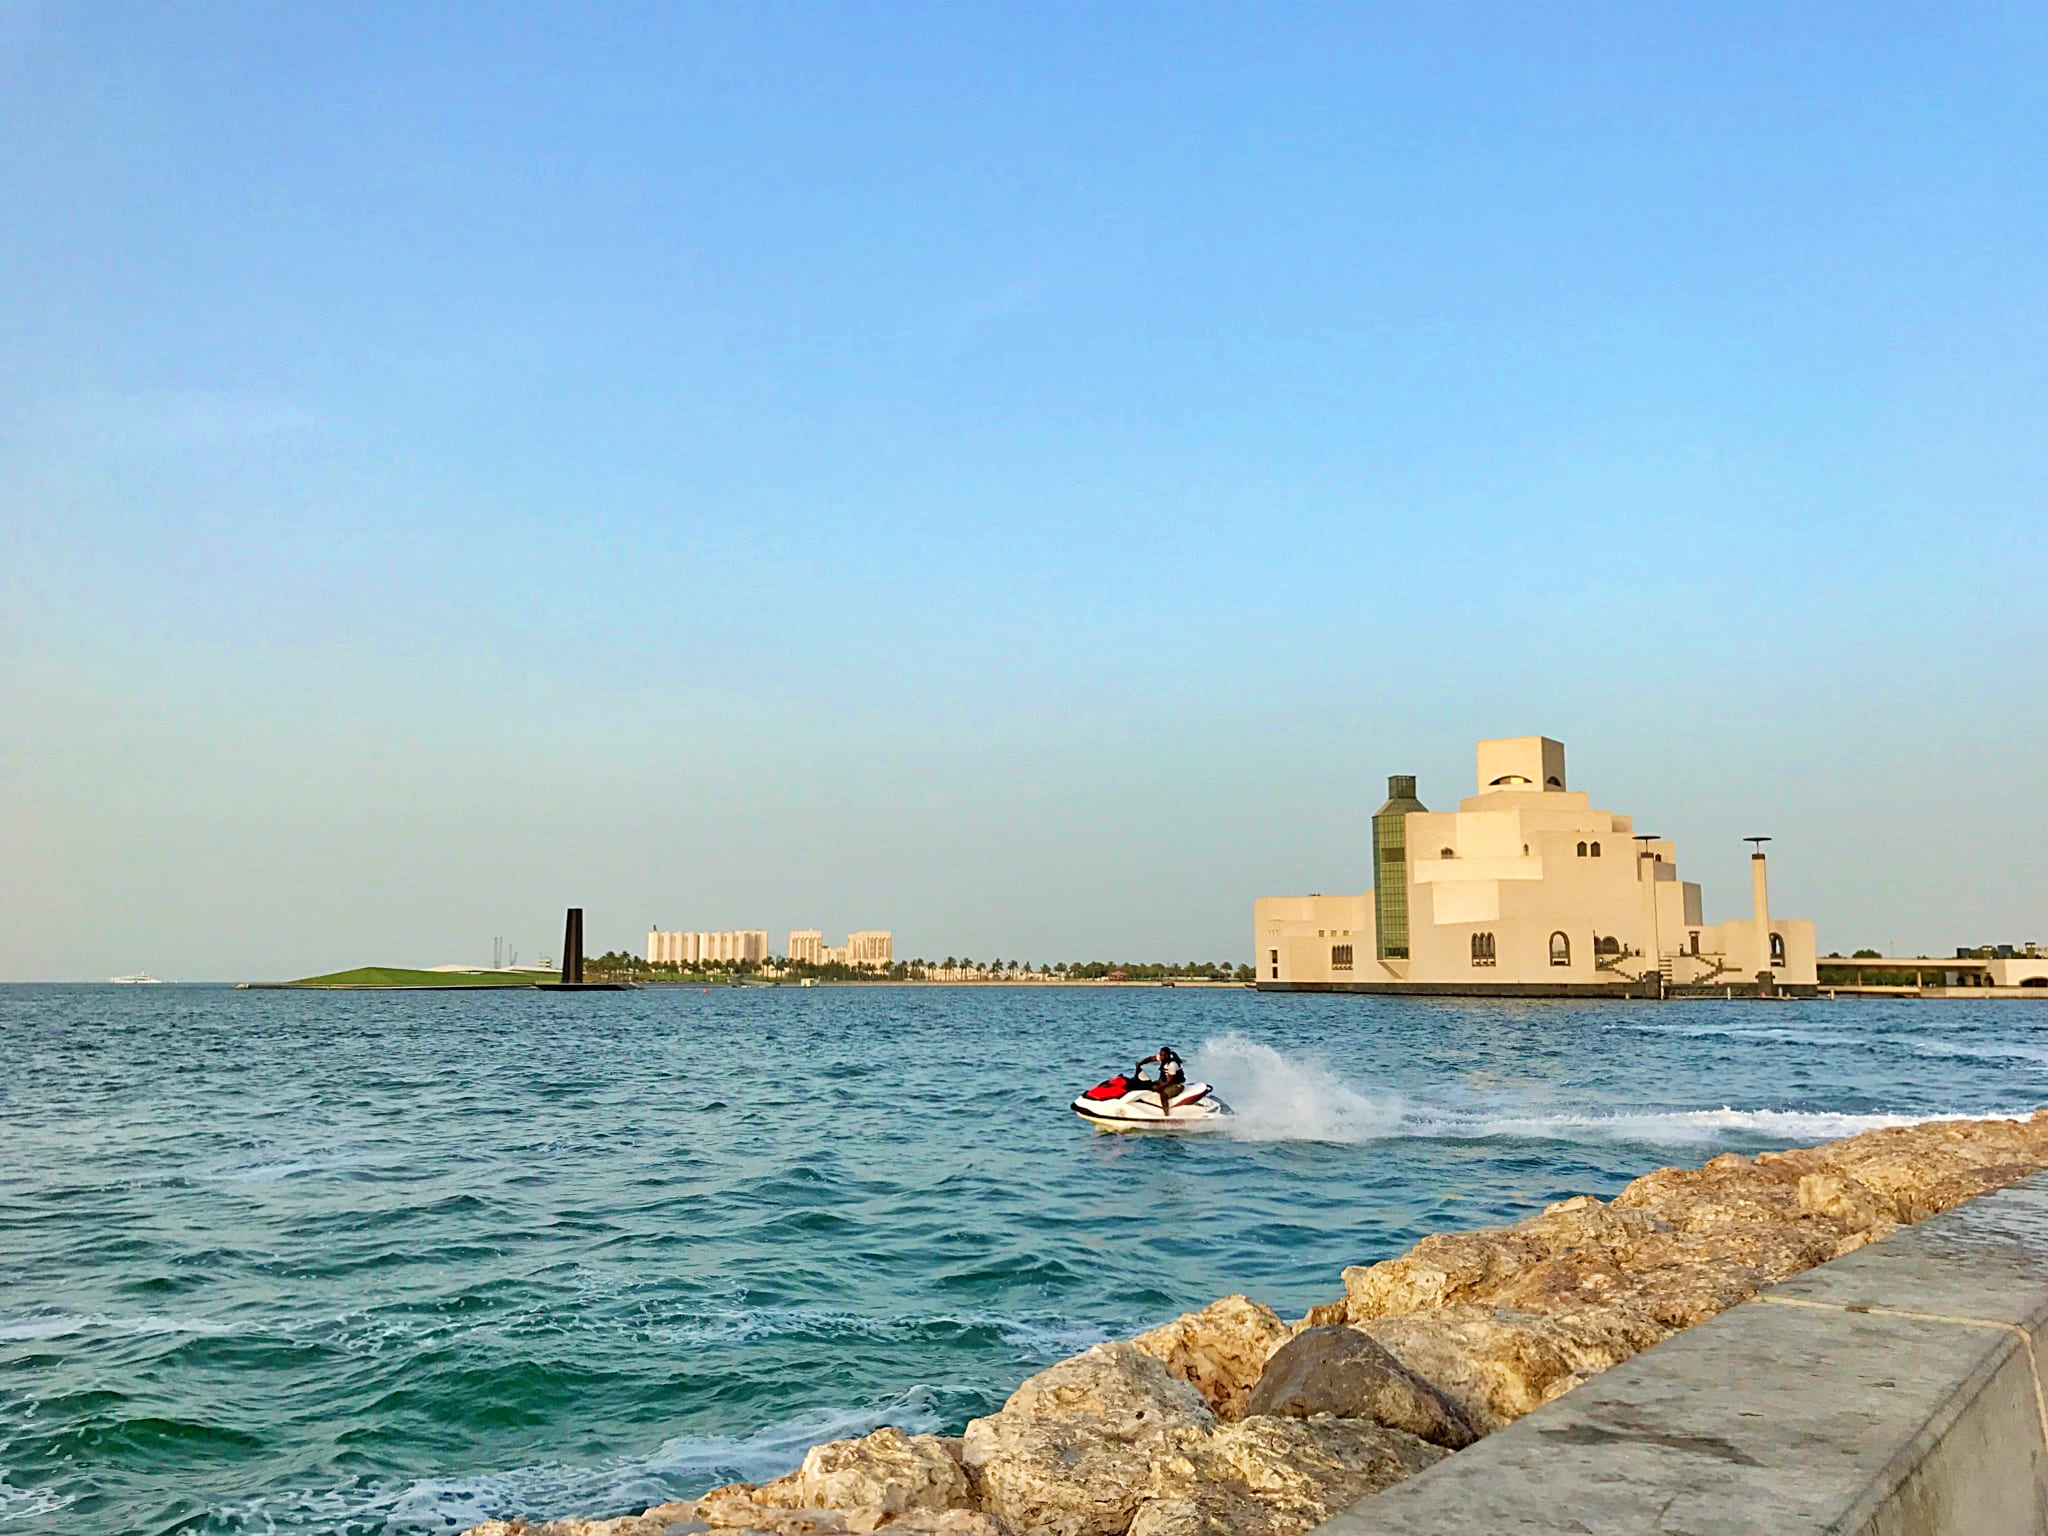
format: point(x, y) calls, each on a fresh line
point(1500, 1363)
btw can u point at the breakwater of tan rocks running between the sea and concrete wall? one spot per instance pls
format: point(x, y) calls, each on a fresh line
point(1234, 1420)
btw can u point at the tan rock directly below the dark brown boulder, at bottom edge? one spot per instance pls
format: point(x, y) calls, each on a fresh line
point(1279, 1478)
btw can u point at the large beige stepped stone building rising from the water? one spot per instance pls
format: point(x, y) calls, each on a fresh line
point(1525, 890)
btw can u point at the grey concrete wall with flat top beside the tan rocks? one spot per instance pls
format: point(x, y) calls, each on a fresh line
point(1891, 1394)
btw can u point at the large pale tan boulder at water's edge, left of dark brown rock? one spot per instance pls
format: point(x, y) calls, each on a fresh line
point(1072, 1451)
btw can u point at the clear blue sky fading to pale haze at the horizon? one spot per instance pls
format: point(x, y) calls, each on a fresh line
point(1011, 474)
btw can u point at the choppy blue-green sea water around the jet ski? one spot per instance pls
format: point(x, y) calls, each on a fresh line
point(398, 1263)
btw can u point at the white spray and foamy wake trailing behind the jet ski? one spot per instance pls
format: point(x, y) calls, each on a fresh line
point(1285, 1099)
